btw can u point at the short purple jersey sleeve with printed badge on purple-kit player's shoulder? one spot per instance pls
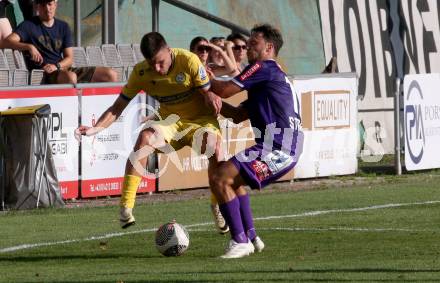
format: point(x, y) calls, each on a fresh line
point(252, 75)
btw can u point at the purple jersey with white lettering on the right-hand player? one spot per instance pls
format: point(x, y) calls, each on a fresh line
point(272, 105)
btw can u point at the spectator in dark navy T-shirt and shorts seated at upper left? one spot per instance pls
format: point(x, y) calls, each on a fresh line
point(47, 44)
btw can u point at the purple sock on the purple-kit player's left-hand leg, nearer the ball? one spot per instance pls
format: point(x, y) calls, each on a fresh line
point(232, 215)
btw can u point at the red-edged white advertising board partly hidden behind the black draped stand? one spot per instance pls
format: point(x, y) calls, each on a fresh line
point(63, 120)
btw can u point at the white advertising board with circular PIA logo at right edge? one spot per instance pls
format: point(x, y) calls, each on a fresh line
point(422, 121)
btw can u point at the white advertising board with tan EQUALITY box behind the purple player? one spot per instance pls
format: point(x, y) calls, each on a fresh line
point(329, 118)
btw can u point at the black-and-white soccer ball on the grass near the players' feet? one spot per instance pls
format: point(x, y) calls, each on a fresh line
point(172, 239)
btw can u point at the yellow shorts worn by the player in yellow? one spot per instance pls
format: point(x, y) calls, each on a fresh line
point(182, 132)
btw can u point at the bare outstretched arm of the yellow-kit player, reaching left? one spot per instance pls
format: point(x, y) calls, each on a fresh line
point(106, 119)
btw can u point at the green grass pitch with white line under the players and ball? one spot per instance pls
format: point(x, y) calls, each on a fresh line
point(386, 231)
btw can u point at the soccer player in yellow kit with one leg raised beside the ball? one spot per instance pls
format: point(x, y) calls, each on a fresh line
point(188, 112)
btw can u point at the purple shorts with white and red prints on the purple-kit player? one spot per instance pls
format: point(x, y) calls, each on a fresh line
point(259, 168)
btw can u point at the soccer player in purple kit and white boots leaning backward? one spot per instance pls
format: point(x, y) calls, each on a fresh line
point(273, 110)
